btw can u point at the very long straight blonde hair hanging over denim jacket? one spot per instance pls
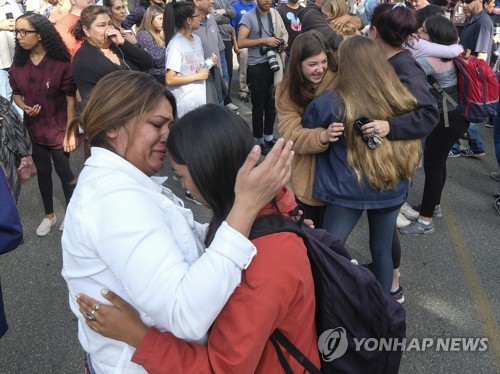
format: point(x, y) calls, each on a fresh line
point(369, 87)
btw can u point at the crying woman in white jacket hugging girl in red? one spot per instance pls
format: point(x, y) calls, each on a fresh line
point(125, 232)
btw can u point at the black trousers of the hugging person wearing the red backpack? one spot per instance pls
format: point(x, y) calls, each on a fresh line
point(436, 150)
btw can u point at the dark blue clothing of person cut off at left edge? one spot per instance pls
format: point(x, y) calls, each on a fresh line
point(11, 233)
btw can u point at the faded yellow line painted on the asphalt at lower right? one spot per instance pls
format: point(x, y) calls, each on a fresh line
point(473, 281)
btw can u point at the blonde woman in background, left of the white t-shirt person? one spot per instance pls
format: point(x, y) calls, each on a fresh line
point(152, 39)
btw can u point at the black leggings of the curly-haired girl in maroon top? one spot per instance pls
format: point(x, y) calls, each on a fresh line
point(42, 159)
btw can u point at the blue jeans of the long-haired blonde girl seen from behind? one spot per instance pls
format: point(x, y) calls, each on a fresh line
point(340, 221)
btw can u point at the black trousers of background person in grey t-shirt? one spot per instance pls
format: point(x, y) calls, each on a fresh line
point(261, 82)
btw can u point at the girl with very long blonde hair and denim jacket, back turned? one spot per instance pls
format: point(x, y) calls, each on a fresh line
point(361, 172)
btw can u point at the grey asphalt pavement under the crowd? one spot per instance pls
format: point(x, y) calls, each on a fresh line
point(451, 278)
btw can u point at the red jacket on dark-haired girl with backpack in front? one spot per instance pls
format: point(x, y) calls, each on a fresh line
point(276, 291)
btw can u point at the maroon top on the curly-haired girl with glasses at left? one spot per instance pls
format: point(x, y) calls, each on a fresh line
point(46, 84)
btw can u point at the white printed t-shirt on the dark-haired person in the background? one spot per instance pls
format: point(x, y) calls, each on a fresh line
point(186, 58)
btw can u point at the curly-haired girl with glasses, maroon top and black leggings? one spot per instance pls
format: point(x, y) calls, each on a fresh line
point(43, 86)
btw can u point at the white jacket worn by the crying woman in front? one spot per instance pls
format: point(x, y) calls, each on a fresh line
point(125, 232)
